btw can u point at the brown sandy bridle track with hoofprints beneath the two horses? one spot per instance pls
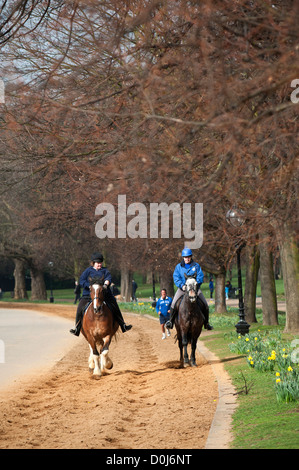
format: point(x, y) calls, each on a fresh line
point(139, 404)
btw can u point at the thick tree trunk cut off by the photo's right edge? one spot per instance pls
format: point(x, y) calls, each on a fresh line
point(290, 268)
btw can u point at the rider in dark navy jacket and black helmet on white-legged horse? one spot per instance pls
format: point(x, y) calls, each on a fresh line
point(97, 270)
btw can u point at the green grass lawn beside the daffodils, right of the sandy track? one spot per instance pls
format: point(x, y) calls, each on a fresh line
point(260, 421)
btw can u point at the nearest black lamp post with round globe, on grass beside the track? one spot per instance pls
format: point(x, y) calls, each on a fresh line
point(236, 218)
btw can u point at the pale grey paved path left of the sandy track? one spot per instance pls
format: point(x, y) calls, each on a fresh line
point(30, 340)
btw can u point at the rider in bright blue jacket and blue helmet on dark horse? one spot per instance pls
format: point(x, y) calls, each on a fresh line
point(189, 267)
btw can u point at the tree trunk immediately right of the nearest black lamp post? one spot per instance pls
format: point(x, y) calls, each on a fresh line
point(252, 268)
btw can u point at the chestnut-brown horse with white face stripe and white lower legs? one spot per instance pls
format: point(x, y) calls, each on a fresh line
point(98, 327)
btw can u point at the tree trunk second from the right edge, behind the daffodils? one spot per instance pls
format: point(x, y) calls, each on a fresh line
point(268, 289)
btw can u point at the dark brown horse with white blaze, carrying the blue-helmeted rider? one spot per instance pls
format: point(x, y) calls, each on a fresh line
point(189, 322)
